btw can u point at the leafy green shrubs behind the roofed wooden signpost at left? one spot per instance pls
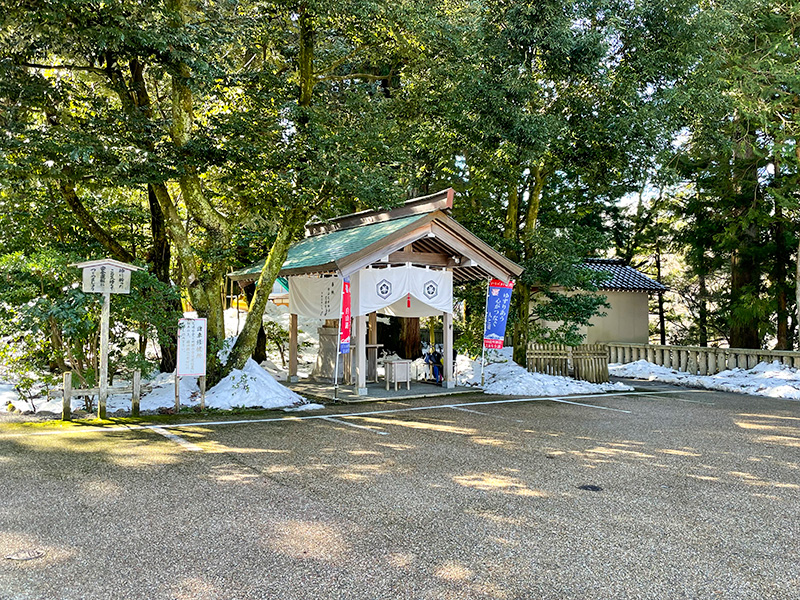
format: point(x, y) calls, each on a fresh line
point(50, 324)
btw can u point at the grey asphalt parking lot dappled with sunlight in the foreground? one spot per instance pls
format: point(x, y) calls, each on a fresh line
point(663, 493)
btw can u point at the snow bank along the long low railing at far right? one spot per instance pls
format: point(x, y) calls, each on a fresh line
point(773, 380)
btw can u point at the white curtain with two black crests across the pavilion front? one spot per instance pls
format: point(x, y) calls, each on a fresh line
point(403, 291)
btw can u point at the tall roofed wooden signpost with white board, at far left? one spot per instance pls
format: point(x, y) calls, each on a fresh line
point(105, 276)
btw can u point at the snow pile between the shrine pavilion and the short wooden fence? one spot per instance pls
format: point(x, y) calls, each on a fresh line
point(504, 376)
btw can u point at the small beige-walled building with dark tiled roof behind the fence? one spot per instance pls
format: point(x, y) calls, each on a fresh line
point(627, 290)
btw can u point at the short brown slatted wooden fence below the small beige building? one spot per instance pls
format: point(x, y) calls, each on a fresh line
point(588, 362)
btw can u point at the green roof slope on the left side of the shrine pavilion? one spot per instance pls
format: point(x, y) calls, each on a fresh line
point(331, 247)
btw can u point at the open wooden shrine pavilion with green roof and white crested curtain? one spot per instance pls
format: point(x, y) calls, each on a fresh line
point(402, 261)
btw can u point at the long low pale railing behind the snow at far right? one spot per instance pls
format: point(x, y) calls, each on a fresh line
point(698, 360)
